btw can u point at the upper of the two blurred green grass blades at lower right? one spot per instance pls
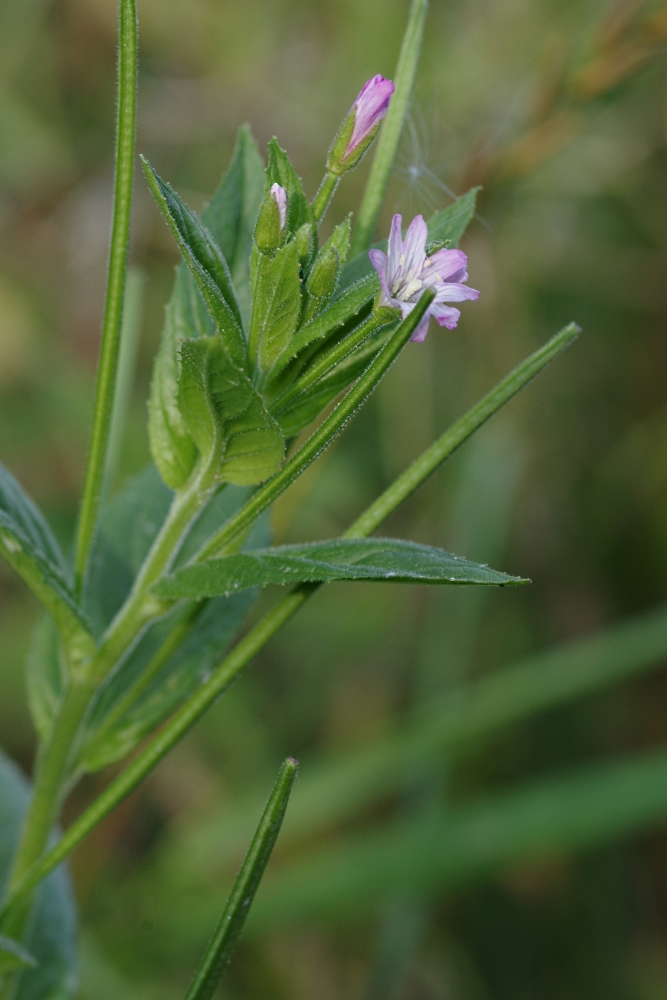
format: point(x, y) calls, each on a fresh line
point(337, 787)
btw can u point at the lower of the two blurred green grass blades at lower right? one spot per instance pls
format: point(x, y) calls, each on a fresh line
point(583, 808)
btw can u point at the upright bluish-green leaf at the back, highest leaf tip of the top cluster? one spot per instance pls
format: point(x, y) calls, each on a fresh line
point(231, 213)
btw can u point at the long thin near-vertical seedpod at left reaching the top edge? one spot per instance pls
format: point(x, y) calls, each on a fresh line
point(113, 313)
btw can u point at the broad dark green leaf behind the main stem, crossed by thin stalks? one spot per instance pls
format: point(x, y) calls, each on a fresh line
point(141, 694)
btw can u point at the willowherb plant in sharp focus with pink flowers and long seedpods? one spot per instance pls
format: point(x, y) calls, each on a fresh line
point(266, 327)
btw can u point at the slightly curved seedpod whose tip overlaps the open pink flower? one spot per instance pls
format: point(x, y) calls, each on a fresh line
point(322, 437)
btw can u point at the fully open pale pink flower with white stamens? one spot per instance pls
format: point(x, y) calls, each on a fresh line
point(405, 271)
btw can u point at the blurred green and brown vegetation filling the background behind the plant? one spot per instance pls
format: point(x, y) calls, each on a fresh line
point(558, 109)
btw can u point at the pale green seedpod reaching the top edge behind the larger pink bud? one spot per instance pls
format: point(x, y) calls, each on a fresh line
point(392, 127)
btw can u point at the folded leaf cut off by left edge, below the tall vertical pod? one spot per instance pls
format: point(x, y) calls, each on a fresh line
point(27, 544)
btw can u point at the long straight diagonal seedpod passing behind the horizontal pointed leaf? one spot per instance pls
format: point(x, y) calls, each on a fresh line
point(258, 637)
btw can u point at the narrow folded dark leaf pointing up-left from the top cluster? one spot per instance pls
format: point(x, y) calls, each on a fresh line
point(206, 262)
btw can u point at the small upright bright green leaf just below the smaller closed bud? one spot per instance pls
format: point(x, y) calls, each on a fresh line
point(276, 306)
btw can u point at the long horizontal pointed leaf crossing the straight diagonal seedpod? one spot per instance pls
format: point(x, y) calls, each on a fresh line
point(381, 559)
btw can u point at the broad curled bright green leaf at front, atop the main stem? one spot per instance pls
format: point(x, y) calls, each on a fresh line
point(226, 416)
